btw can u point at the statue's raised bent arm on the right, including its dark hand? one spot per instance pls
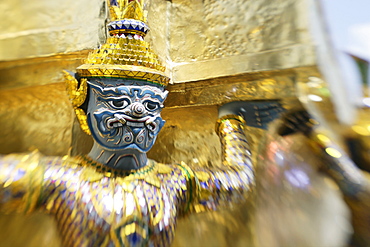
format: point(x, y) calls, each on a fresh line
point(234, 180)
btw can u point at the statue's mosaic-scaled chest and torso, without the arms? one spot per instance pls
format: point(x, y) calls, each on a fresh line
point(95, 210)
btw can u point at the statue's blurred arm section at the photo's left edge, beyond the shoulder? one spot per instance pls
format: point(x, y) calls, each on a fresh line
point(21, 178)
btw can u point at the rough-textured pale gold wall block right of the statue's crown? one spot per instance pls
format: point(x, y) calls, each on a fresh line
point(220, 38)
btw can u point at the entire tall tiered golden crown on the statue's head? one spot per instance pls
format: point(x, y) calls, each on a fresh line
point(125, 54)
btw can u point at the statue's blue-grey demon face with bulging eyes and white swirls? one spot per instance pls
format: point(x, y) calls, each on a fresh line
point(125, 114)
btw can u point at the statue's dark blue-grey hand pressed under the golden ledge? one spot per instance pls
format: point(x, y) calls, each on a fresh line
point(256, 113)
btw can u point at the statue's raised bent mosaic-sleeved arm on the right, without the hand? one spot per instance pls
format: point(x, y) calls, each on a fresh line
point(233, 181)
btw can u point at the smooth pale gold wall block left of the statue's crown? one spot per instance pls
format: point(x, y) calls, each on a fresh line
point(43, 28)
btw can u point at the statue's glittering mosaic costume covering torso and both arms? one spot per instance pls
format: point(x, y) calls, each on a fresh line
point(104, 207)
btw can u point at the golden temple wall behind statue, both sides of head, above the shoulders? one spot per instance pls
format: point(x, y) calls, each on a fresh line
point(215, 52)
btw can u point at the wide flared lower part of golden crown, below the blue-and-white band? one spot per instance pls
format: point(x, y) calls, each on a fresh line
point(124, 58)
